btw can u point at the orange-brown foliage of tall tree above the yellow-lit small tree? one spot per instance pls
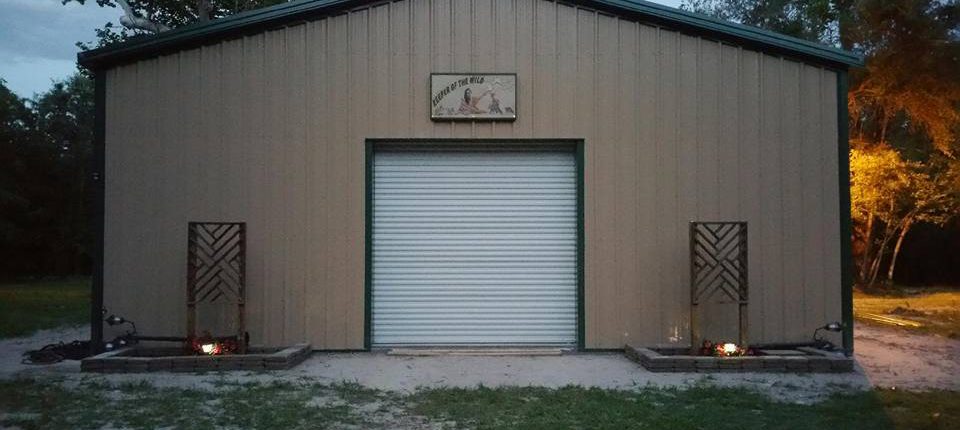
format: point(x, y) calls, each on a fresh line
point(911, 85)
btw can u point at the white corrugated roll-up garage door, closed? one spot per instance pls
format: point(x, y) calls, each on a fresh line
point(474, 248)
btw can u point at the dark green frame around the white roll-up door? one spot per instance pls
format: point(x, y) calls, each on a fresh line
point(371, 145)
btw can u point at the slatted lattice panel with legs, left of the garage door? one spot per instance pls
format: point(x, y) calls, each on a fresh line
point(216, 268)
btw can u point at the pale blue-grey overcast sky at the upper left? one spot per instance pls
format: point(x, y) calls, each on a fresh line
point(38, 39)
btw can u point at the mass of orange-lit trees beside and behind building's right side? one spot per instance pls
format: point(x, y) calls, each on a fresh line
point(904, 107)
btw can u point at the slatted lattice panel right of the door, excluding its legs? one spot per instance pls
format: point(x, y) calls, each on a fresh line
point(718, 253)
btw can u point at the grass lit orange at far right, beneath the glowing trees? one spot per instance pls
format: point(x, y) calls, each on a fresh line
point(937, 310)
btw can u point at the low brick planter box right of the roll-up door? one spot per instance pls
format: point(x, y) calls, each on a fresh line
point(807, 360)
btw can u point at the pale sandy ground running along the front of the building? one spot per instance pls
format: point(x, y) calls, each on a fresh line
point(885, 358)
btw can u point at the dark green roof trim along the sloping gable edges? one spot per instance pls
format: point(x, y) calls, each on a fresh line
point(304, 10)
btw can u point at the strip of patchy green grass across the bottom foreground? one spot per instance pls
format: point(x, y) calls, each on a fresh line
point(31, 404)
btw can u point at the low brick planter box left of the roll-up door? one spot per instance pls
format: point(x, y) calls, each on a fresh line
point(144, 359)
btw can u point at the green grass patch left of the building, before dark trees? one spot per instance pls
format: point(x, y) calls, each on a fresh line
point(30, 306)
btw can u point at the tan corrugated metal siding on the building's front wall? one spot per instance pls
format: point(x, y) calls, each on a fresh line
point(269, 129)
